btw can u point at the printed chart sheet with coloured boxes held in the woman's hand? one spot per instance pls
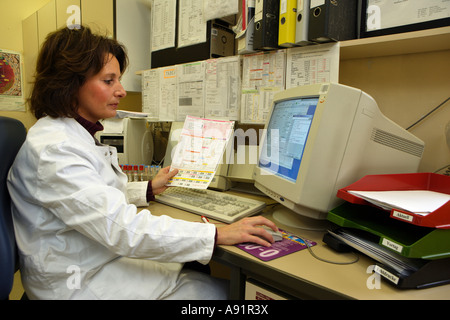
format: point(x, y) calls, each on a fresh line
point(199, 151)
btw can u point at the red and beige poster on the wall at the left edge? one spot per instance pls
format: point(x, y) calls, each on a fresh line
point(11, 82)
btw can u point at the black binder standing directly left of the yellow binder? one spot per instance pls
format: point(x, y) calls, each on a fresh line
point(266, 24)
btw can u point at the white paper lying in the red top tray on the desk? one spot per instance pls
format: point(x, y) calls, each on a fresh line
point(420, 202)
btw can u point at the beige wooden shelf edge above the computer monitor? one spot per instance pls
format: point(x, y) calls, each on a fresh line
point(397, 44)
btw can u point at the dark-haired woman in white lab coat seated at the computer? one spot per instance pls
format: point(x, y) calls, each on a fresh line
point(78, 229)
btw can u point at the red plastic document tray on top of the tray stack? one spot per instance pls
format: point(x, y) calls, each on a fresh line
point(439, 218)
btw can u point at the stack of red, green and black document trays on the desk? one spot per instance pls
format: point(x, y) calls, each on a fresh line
point(412, 249)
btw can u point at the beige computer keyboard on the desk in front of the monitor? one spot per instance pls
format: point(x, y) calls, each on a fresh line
point(212, 204)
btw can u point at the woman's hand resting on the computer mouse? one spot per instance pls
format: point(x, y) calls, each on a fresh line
point(246, 230)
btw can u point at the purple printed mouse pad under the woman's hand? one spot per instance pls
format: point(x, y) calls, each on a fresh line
point(289, 244)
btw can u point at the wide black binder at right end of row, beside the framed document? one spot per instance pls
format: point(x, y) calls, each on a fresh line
point(332, 20)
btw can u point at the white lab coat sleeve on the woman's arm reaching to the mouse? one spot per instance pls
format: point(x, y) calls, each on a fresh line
point(70, 184)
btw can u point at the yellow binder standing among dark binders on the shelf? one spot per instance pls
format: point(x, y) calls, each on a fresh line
point(287, 26)
